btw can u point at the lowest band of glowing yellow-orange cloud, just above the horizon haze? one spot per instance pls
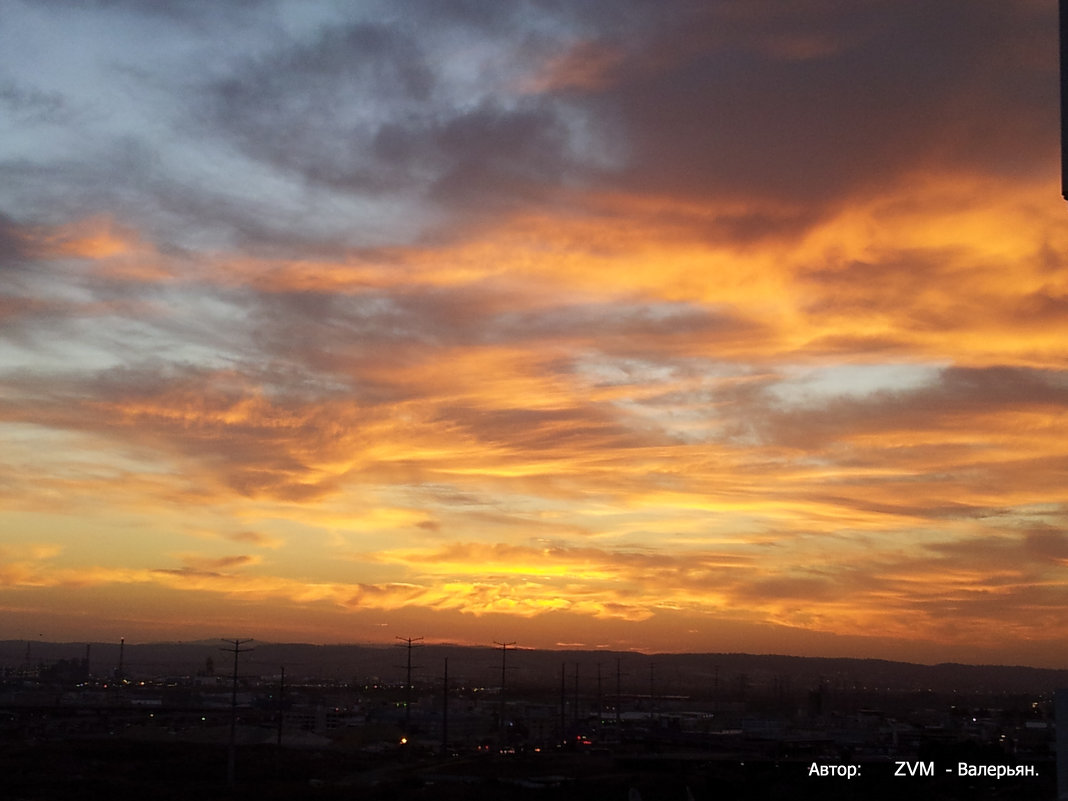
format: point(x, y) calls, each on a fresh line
point(966, 590)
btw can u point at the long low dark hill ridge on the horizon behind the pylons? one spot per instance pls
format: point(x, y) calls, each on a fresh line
point(664, 674)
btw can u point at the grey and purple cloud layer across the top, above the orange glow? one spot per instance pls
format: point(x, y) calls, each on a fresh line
point(332, 129)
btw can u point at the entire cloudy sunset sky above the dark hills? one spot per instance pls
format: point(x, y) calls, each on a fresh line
point(733, 325)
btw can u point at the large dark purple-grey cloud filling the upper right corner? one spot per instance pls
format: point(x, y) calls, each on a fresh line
point(821, 101)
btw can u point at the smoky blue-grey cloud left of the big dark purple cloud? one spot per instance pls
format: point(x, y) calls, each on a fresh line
point(365, 109)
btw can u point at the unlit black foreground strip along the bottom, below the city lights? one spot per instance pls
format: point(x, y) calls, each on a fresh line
point(109, 771)
